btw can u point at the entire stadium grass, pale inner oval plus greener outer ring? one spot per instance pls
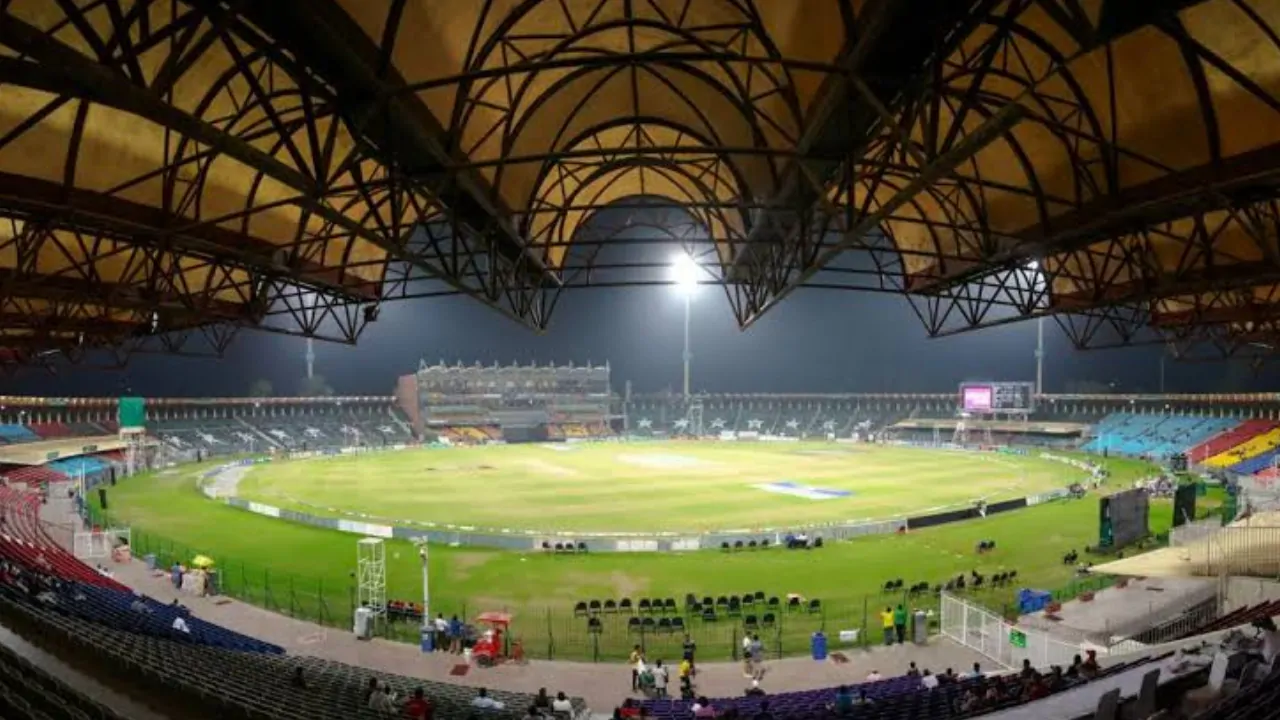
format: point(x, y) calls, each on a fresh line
point(308, 572)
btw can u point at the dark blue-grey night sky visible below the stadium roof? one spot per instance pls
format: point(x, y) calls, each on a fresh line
point(816, 341)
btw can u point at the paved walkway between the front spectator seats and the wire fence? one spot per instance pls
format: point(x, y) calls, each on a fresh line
point(604, 686)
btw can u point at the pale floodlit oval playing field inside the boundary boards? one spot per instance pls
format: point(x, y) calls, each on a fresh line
point(646, 487)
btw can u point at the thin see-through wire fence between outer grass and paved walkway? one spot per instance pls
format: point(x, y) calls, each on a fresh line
point(602, 635)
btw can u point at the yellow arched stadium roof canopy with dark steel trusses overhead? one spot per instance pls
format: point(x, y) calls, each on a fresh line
point(176, 171)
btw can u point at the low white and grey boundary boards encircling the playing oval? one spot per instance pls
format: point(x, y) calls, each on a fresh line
point(527, 541)
